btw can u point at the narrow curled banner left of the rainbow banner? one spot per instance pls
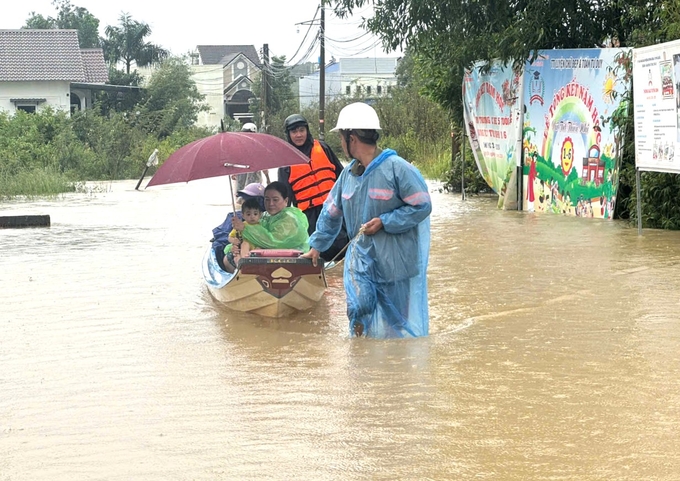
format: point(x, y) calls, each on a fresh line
point(492, 121)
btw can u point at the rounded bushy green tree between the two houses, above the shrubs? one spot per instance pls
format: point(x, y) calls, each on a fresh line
point(170, 101)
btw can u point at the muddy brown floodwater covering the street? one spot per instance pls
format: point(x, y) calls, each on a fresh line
point(554, 354)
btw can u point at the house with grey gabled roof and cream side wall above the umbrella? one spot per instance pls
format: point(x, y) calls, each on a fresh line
point(225, 75)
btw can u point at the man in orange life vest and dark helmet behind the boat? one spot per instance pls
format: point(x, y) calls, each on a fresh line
point(311, 183)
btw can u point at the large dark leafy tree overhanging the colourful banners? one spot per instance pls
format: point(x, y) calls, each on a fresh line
point(446, 37)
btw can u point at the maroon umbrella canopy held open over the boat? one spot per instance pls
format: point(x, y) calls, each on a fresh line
point(226, 153)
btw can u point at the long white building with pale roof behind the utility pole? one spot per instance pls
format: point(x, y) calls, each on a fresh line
point(365, 77)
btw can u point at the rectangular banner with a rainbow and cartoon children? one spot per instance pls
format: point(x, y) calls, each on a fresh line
point(570, 148)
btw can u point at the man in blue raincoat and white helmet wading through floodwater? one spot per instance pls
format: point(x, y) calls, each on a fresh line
point(386, 206)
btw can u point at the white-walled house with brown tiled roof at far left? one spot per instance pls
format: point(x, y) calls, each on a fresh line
point(40, 68)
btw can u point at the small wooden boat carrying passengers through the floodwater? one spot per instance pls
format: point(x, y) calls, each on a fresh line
point(270, 283)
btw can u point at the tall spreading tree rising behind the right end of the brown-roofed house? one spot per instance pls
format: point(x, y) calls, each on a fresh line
point(126, 43)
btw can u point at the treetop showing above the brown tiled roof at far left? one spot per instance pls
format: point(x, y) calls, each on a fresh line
point(69, 17)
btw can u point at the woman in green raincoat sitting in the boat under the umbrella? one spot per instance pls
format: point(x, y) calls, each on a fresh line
point(281, 227)
